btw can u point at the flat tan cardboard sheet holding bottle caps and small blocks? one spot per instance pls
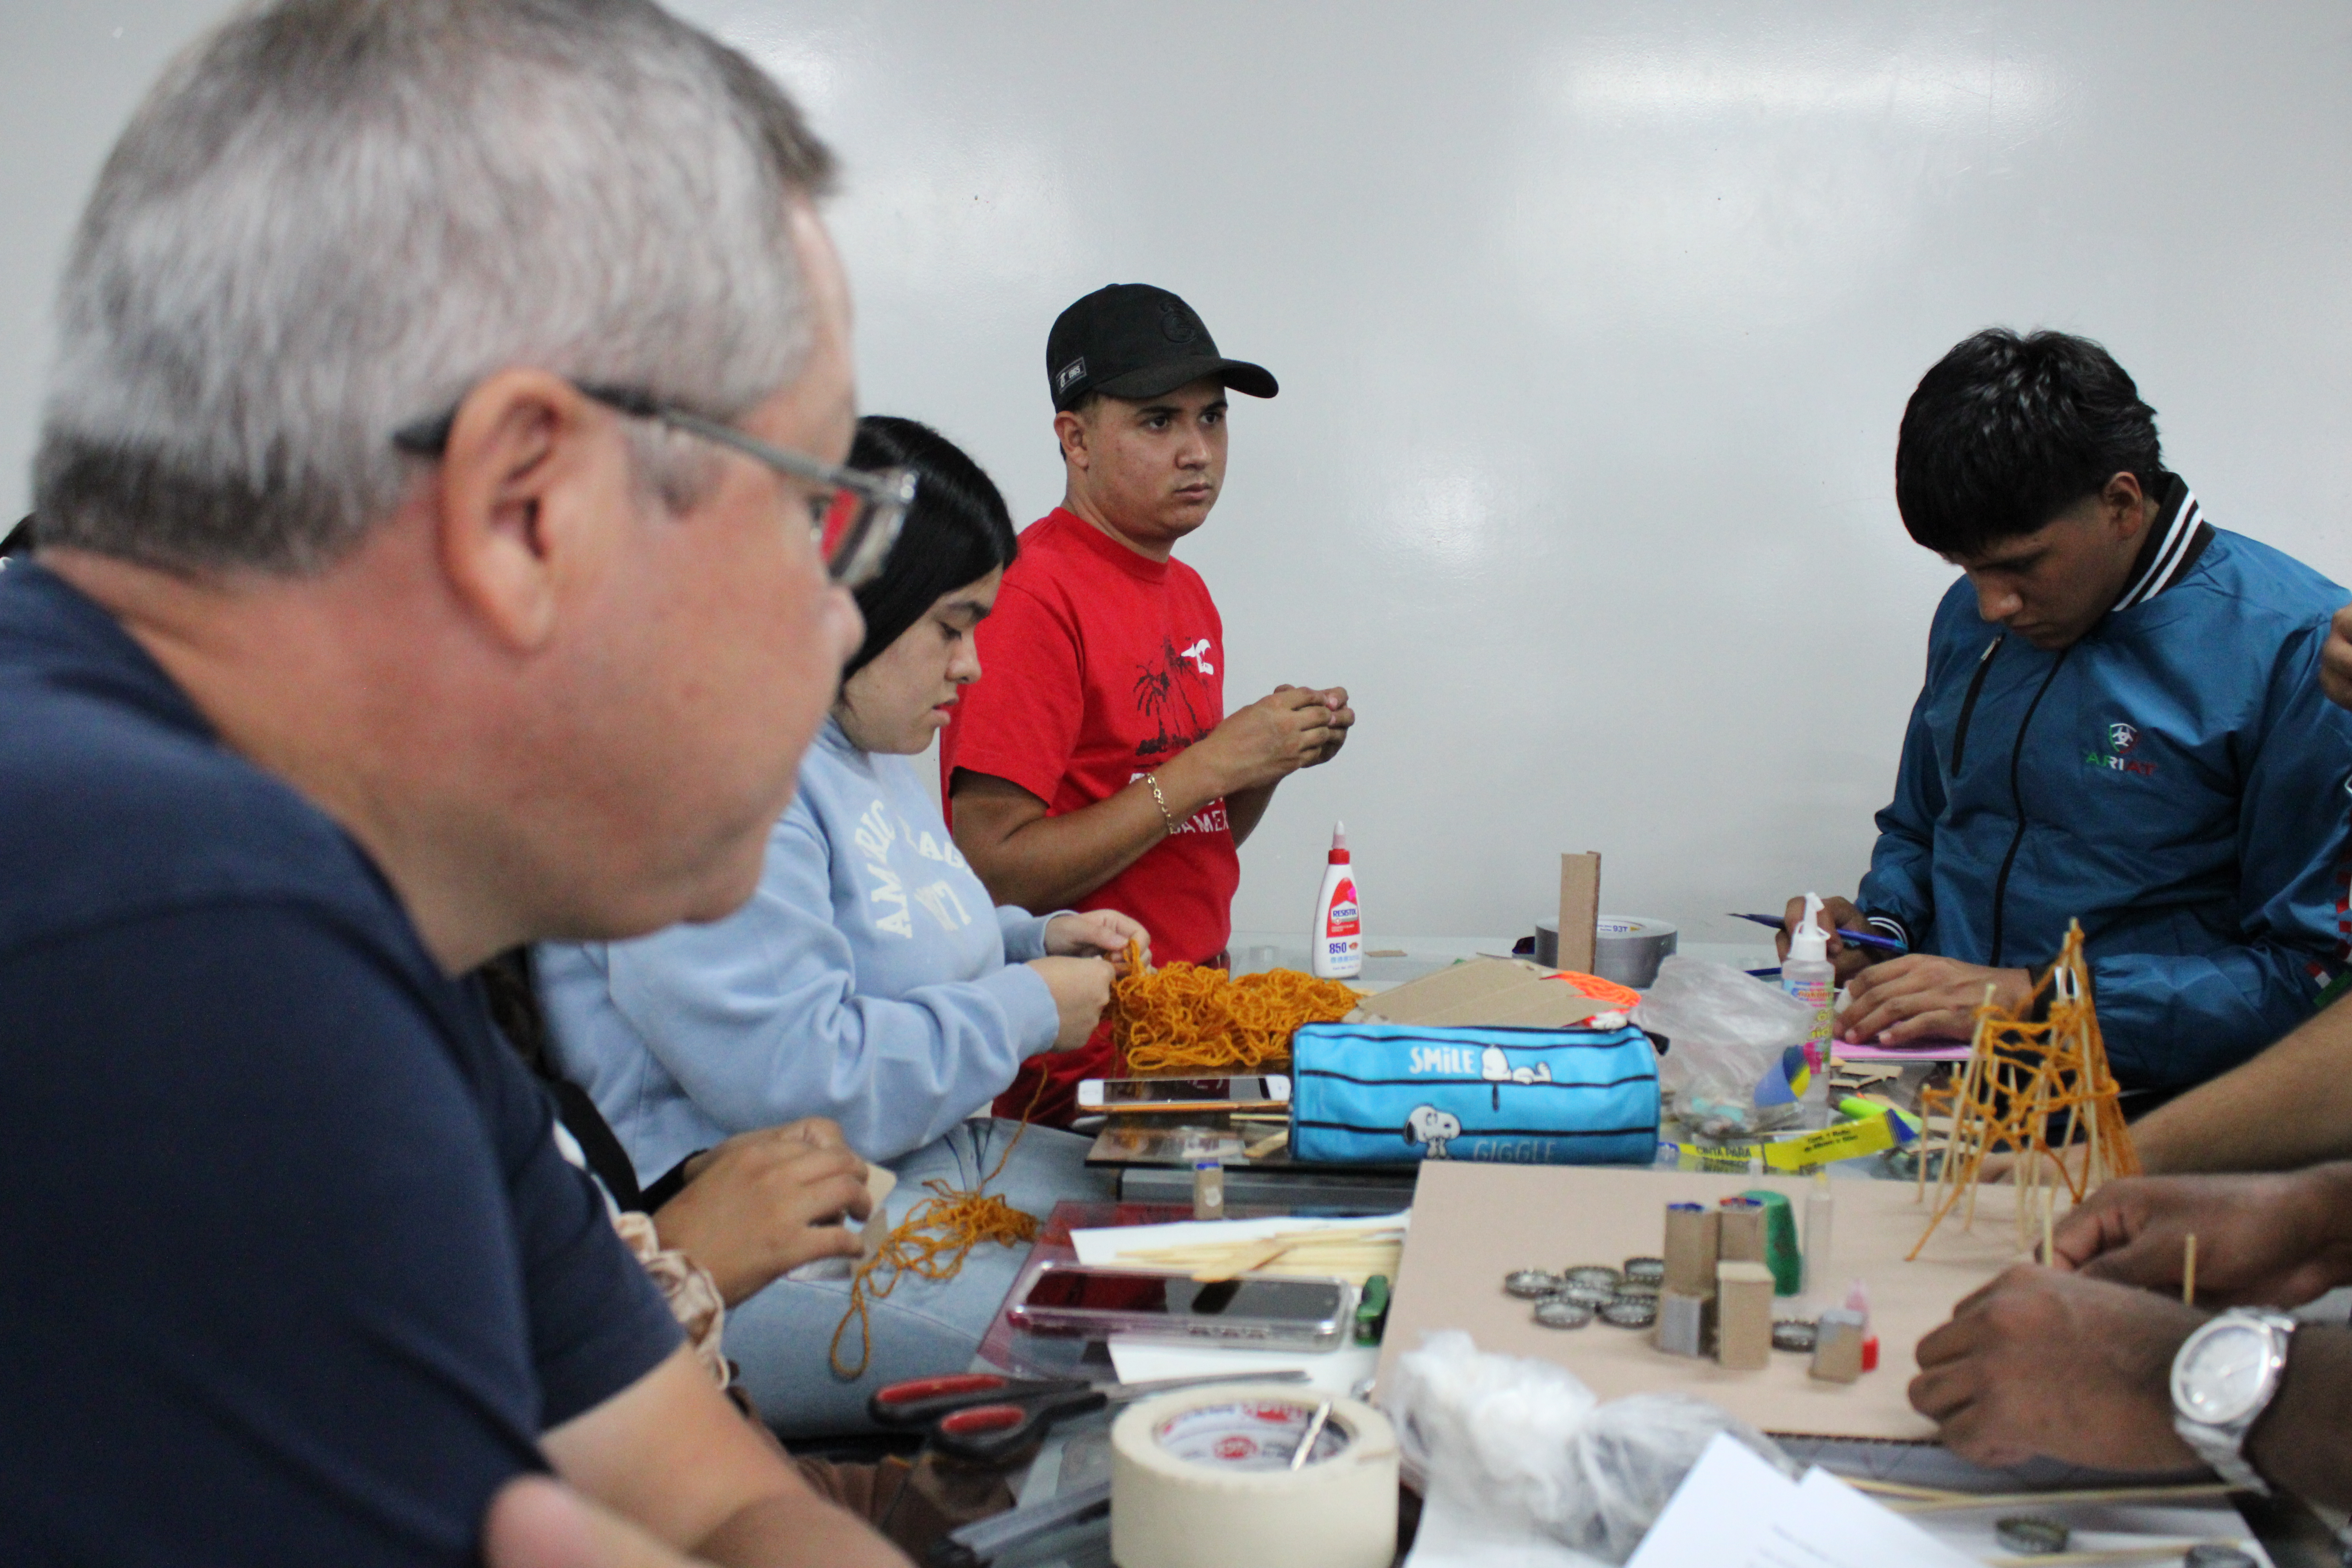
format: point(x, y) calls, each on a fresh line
point(1476, 1224)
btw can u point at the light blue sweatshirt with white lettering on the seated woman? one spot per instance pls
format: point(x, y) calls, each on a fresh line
point(869, 981)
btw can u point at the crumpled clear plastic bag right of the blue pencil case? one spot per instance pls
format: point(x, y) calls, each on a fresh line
point(1725, 1033)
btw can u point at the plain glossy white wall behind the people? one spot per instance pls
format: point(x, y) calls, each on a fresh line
point(1593, 326)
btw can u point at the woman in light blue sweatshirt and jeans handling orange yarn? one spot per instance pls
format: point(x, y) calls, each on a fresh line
point(869, 979)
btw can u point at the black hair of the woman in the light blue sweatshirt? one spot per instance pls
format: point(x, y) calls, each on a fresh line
point(956, 532)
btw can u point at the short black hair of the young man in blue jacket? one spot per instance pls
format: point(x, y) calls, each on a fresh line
point(2010, 431)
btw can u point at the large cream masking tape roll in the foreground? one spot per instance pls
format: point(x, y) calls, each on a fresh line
point(1203, 1480)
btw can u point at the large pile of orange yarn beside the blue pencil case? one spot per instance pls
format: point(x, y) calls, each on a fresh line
point(1189, 1019)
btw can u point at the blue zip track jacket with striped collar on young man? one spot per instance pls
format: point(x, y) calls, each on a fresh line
point(2174, 779)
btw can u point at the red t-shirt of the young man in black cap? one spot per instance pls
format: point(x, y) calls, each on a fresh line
point(1100, 666)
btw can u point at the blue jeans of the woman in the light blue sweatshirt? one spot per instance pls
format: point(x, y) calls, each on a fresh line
point(780, 1339)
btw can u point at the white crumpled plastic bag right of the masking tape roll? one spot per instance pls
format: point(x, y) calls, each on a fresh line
point(1523, 1468)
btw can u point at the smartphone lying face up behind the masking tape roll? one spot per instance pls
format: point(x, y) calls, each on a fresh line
point(1154, 1306)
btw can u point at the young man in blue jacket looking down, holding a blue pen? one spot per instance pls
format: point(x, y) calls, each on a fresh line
point(2123, 725)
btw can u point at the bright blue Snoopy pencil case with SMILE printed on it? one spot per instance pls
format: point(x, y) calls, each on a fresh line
point(1387, 1092)
